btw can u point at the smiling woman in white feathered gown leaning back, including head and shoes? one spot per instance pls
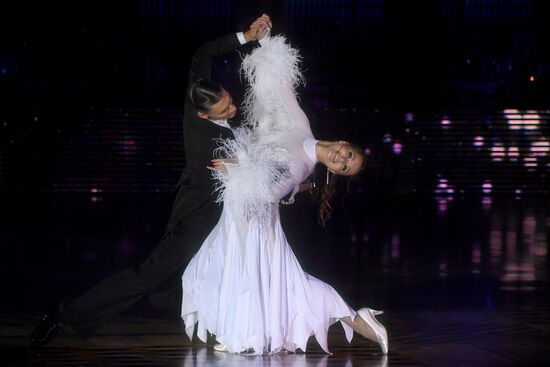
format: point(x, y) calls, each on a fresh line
point(245, 284)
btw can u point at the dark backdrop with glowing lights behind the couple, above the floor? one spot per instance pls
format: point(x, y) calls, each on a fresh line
point(447, 96)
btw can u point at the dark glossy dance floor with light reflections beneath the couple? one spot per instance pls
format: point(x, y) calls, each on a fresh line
point(462, 282)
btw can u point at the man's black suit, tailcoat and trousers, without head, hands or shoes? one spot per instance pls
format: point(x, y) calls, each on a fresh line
point(194, 214)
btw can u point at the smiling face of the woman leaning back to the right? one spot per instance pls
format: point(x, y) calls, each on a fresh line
point(343, 159)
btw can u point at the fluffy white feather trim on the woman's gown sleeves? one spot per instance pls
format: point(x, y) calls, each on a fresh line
point(249, 186)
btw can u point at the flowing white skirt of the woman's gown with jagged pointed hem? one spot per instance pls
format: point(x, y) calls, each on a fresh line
point(246, 286)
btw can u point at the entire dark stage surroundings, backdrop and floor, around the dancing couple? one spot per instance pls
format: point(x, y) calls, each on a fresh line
point(447, 229)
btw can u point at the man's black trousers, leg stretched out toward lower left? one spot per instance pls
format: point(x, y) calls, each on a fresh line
point(182, 239)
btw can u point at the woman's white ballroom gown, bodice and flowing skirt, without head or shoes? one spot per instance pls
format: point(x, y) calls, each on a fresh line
point(245, 284)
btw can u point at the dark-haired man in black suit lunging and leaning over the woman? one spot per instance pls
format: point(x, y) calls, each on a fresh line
point(194, 212)
